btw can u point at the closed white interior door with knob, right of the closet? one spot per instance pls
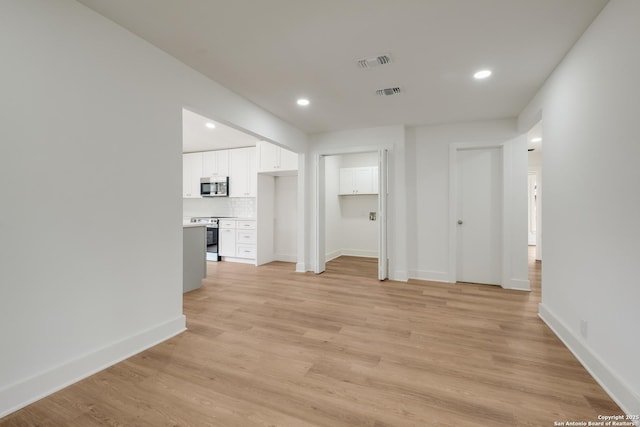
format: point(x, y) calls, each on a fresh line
point(479, 215)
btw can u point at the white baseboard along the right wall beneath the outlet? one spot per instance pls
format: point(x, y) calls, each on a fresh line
point(616, 387)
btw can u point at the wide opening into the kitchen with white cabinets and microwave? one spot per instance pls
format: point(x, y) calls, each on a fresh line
point(255, 221)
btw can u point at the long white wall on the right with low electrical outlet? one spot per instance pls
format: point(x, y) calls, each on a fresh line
point(591, 200)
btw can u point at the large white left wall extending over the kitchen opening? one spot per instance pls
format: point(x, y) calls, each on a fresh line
point(90, 178)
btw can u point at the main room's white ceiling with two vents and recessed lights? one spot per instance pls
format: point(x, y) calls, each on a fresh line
point(274, 51)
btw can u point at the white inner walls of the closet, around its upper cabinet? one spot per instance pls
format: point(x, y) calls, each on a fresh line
point(348, 228)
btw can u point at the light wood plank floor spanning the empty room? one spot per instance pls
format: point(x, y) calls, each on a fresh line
point(270, 347)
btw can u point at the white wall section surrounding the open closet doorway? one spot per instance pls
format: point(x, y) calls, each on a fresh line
point(363, 140)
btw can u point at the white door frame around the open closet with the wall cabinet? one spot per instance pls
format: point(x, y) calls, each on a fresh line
point(319, 217)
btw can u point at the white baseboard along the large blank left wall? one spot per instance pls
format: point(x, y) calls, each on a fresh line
point(40, 385)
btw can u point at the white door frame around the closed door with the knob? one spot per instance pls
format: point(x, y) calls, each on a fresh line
point(505, 150)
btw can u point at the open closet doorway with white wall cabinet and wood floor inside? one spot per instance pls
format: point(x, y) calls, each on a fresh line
point(351, 213)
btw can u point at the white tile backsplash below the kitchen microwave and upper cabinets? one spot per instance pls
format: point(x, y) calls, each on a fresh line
point(243, 207)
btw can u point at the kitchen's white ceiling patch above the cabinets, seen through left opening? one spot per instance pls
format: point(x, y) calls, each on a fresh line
point(196, 136)
